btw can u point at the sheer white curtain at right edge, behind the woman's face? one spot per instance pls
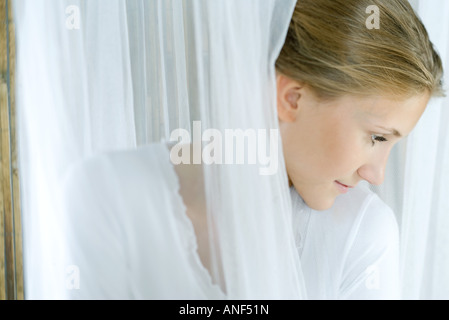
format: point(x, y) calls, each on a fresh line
point(417, 181)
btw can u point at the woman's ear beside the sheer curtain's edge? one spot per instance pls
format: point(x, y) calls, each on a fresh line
point(288, 95)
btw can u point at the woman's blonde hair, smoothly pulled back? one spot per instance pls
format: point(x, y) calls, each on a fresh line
point(330, 49)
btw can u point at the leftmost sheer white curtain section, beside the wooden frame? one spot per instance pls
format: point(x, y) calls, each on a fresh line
point(74, 100)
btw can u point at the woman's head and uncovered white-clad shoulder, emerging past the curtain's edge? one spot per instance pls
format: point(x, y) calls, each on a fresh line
point(346, 95)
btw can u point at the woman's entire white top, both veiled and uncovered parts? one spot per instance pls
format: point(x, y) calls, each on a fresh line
point(131, 247)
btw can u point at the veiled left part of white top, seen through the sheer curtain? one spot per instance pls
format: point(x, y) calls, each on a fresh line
point(127, 246)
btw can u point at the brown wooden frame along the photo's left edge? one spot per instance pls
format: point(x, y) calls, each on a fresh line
point(11, 261)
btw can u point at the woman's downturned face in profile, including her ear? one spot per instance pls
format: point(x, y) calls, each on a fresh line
point(331, 144)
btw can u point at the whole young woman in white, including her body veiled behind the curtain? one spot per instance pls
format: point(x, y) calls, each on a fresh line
point(345, 95)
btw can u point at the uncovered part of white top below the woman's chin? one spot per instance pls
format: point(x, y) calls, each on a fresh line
point(350, 251)
